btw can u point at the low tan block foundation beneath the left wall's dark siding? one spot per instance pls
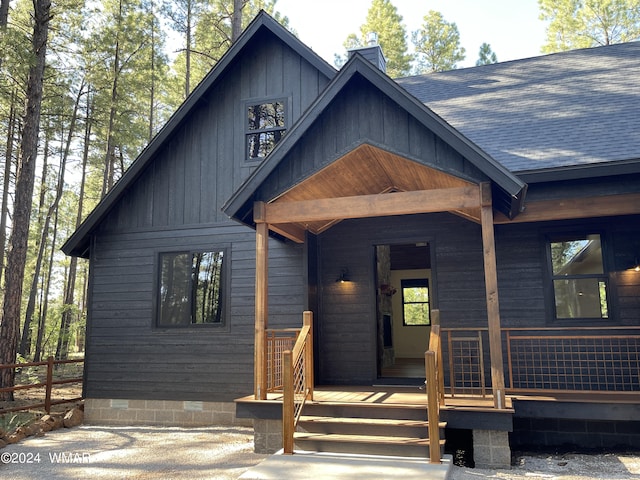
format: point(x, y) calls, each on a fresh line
point(161, 412)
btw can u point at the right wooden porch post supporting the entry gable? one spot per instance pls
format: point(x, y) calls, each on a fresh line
point(491, 286)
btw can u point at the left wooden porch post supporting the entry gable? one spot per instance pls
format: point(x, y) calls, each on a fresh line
point(262, 304)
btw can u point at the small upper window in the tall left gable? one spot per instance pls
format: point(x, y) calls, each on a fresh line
point(266, 124)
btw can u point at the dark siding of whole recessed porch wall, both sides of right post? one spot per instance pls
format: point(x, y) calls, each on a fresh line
point(347, 329)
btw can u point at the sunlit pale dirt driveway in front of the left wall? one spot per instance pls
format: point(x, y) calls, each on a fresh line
point(136, 453)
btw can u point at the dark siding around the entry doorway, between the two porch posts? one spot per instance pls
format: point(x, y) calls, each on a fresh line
point(347, 330)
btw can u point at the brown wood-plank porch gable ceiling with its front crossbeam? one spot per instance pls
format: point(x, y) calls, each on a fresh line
point(369, 181)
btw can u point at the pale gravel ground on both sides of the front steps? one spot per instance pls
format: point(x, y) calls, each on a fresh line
point(155, 453)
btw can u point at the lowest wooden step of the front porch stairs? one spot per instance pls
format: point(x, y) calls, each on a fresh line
point(364, 445)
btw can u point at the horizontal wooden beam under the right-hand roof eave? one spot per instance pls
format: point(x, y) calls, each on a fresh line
point(568, 208)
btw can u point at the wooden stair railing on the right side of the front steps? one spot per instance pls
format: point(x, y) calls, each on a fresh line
point(435, 391)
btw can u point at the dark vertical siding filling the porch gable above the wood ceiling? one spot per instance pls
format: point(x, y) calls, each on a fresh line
point(363, 114)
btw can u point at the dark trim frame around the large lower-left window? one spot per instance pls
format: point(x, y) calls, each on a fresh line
point(222, 326)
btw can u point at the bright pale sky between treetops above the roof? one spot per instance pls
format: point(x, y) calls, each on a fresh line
point(511, 27)
